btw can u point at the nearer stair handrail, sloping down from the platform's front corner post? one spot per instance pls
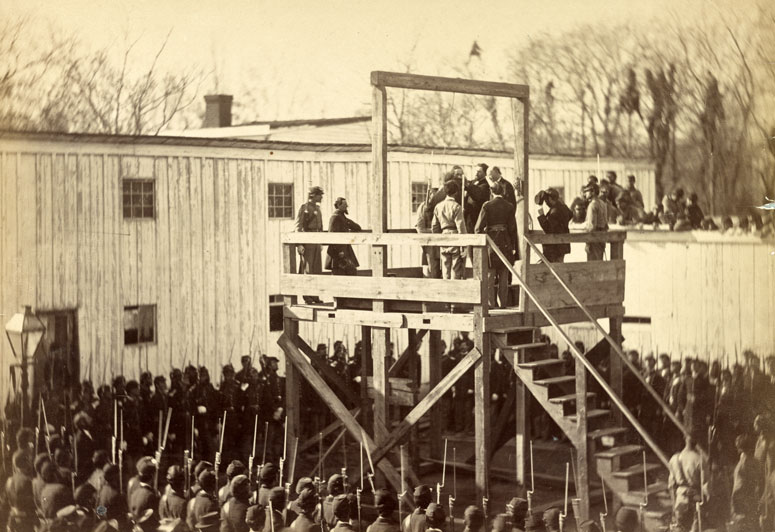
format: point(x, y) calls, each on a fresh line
point(581, 358)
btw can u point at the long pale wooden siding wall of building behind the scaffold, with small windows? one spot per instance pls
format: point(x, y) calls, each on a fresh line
point(211, 258)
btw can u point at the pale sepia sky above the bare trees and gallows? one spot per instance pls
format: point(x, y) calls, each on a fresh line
point(312, 58)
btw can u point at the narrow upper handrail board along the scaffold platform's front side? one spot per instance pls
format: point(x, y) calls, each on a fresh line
point(386, 239)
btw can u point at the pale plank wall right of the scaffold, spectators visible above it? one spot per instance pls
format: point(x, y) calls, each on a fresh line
point(706, 294)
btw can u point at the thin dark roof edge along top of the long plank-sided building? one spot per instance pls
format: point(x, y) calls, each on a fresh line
point(160, 140)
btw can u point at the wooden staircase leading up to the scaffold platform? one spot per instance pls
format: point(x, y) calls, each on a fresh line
point(616, 461)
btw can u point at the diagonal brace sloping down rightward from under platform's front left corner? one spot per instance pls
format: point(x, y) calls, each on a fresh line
point(297, 358)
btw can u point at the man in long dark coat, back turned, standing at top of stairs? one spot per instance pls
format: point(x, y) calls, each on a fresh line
point(497, 220)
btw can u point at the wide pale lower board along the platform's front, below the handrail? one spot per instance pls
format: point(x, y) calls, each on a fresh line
point(392, 288)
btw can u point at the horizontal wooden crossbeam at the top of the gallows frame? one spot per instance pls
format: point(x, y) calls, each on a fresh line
point(437, 83)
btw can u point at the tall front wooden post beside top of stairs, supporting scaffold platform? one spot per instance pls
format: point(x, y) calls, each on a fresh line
point(482, 378)
